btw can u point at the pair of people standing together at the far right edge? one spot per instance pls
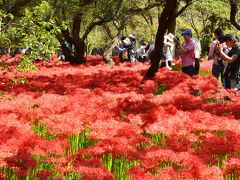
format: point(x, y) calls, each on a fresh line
point(225, 52)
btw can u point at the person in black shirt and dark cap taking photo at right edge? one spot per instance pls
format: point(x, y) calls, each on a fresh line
point(232, 58)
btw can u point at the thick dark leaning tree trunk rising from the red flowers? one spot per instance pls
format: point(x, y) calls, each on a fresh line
point(166, 18)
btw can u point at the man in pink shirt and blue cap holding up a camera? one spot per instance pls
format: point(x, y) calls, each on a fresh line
point(187, 52)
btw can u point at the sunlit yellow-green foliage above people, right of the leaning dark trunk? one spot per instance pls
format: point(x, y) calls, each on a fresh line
point(203, 17)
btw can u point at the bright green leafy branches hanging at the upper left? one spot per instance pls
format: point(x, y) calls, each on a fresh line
point(34, 31)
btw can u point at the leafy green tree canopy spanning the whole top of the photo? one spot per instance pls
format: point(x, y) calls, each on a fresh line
point(49, 25)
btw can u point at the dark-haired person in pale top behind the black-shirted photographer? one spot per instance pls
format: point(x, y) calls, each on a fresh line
point(218, 66)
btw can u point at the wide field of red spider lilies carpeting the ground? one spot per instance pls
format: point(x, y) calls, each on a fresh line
point(95, 121)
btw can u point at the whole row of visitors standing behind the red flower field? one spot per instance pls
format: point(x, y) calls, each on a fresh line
point(224, 51)
